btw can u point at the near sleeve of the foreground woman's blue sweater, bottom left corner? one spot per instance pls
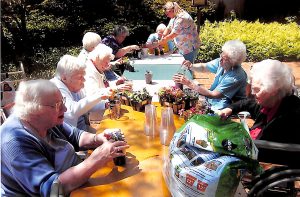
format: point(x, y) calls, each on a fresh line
point(29, 166)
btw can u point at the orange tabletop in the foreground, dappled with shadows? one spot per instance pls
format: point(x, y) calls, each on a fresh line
point(142, 175)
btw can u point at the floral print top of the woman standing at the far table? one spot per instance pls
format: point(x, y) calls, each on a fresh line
point(187, 38)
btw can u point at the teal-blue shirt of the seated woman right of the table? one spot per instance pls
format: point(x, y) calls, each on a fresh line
point(231, 84)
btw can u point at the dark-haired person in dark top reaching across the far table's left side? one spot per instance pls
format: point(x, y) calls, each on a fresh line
point(115, 41)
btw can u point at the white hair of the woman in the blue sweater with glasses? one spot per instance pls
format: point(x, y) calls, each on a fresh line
point(30, 94)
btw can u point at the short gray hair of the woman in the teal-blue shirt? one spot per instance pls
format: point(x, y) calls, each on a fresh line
point(236, 51)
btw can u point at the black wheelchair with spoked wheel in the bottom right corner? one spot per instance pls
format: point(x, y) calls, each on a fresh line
point(282, 178)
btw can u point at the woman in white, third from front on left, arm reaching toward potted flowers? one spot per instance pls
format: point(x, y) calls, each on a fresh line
point(97, 63)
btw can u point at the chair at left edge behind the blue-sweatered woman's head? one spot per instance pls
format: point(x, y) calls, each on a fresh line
point(9, 83)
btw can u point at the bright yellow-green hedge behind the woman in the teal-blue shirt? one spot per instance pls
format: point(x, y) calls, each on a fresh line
point(273, 40)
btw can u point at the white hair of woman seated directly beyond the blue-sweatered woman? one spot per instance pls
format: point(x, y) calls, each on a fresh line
point(67, 65)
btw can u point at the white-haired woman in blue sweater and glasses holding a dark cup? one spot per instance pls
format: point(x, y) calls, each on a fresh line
point(38, 149)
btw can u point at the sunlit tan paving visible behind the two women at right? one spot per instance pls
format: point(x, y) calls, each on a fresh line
point(207, 78)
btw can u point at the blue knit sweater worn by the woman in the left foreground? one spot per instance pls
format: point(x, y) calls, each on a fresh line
point(29, 163)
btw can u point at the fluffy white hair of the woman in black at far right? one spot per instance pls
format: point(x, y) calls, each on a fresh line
point(273, 76)
